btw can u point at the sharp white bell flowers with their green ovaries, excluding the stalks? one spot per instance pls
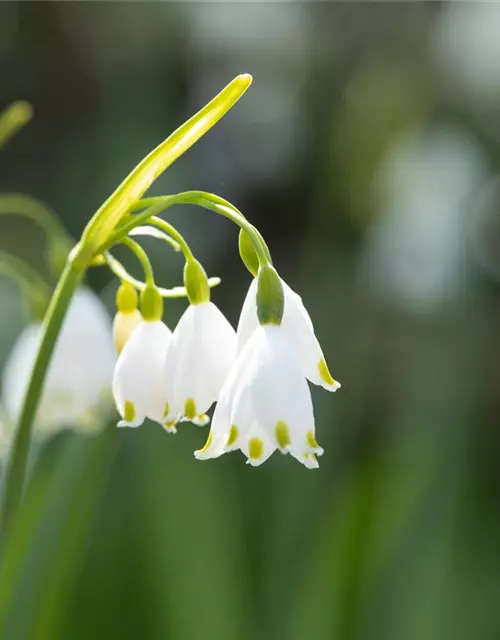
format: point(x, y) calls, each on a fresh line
point(257, 374)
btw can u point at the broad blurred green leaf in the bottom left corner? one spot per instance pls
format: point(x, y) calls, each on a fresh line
point(48, 540)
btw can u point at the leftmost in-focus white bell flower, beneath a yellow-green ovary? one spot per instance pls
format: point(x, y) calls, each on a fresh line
point(138, 378)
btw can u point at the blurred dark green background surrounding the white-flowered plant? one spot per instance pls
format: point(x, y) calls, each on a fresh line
point(367, 152)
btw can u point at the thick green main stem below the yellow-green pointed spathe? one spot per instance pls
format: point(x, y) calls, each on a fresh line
point(15, 473)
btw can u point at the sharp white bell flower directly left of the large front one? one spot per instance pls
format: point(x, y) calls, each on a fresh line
point(200, 356)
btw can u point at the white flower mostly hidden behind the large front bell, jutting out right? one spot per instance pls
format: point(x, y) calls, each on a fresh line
point(298, 325)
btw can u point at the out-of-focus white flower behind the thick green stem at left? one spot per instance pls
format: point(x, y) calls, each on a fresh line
point(78, 383)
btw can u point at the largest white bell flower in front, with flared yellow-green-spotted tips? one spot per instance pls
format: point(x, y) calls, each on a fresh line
point(265, 404)
